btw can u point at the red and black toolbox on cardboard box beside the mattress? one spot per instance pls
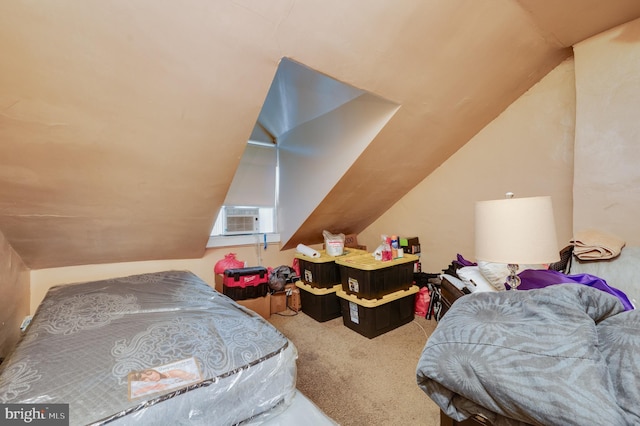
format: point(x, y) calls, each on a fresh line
point(245, 283)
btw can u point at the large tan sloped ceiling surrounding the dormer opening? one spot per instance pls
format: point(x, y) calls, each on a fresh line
point(122, 122)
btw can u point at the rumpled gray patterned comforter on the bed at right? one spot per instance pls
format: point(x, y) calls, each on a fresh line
point(563, 355)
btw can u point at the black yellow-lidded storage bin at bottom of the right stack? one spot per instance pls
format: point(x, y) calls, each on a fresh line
point(372, 318)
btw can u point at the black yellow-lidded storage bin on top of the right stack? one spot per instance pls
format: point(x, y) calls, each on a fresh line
point(367, 278)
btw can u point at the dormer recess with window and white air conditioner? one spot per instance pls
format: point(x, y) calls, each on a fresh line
point(310, 130)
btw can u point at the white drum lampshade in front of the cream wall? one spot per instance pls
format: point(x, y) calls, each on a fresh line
point(516, 230)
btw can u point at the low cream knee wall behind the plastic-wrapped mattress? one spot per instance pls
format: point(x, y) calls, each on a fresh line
point(43, 279)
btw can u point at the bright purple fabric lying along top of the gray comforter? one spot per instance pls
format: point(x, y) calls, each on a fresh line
point(539, 278)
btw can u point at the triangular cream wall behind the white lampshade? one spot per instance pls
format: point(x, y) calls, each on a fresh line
point(528, 150)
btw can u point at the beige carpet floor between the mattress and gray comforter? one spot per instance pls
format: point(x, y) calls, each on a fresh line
point(361, 381)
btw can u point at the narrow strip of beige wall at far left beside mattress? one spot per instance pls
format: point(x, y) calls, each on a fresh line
point(14, 294)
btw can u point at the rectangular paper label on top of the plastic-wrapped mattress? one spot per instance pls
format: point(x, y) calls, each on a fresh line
point(164, 378)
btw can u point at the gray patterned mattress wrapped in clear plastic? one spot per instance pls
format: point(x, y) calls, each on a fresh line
point(155, 348)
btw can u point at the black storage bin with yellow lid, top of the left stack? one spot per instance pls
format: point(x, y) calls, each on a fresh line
point(323, 272)
